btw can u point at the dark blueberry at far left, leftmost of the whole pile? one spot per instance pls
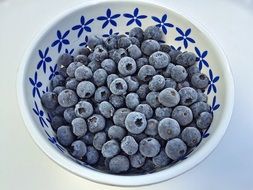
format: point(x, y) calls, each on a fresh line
point(49, 100)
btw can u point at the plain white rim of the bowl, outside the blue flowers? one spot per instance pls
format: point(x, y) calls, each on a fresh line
point(111, 179)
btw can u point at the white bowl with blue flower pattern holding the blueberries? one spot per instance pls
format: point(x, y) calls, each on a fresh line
point(71, 30)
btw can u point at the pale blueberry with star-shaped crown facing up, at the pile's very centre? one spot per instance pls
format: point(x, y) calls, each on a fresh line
point(118, 86)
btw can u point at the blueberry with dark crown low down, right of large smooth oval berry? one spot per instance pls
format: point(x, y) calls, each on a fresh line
point(188, 96)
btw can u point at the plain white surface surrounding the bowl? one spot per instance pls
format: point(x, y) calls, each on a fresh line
point(23, 166)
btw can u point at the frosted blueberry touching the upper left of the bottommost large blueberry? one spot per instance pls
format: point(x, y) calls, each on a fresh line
point(110, 149)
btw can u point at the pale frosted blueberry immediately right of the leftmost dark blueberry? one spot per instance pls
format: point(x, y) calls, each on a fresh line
point(67, 98)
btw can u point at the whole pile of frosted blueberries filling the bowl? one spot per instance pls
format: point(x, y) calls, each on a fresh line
point(128, 104)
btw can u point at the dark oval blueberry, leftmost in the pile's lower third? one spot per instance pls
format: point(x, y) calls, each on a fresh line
point(64, 135)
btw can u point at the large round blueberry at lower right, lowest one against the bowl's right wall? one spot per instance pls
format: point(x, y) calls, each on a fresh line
point(175, 149)
